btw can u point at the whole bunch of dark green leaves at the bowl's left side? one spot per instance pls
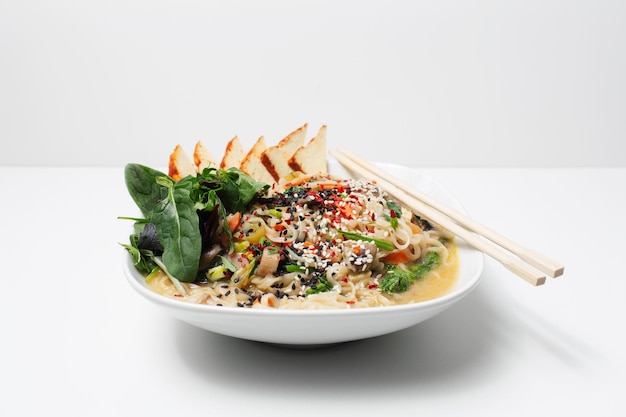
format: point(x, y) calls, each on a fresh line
point(170, 236)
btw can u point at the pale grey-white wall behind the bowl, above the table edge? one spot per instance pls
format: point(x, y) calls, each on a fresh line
point(421, 83)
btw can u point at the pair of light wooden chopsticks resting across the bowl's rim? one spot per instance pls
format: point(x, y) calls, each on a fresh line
point(528, 264)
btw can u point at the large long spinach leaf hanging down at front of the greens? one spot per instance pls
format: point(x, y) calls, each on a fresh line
point(177, 227)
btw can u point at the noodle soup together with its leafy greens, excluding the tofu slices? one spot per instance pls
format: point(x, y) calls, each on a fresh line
point(222, 238)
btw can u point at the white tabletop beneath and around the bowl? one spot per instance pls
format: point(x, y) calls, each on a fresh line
point(78, 340)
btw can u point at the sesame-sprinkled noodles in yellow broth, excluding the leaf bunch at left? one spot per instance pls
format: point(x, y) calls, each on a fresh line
point(320, 242)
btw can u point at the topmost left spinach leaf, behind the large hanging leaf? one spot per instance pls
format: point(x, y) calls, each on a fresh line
point(141, 182)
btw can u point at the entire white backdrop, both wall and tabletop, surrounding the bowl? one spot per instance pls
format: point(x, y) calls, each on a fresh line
point(506, 103)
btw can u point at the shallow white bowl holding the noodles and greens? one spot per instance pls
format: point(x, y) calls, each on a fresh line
point(321, 327)
